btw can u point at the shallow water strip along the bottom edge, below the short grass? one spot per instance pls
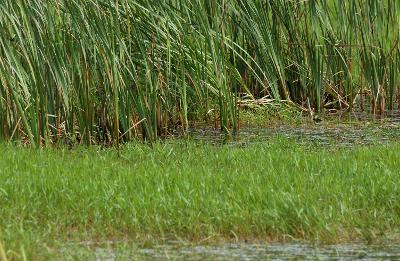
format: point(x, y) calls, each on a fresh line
point(273, 251)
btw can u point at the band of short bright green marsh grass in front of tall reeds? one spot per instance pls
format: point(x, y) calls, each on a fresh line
point(278, 190)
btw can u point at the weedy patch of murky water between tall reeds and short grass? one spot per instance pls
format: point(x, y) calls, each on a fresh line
point(326, 134)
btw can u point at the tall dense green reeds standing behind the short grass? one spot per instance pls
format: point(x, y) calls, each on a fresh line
point(106, 71)
